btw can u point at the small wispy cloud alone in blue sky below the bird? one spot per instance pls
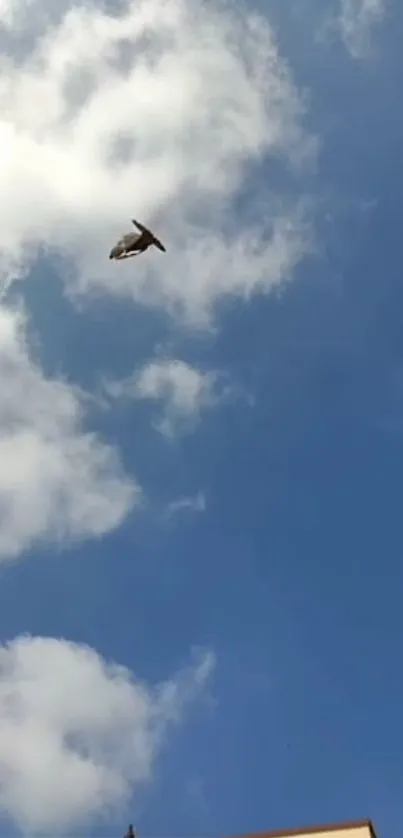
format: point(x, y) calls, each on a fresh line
point(182, 390)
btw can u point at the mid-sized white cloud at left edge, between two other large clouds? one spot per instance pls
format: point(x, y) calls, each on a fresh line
point(57, 482)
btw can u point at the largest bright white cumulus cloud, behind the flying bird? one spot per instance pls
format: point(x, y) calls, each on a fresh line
point(154, 110)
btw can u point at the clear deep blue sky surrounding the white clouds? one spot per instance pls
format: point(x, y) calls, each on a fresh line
point(292, 573)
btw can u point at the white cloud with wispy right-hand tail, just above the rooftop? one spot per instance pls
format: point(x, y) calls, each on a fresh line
point(78, 734)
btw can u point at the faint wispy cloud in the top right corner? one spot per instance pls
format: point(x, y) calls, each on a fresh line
point(357, 17)
